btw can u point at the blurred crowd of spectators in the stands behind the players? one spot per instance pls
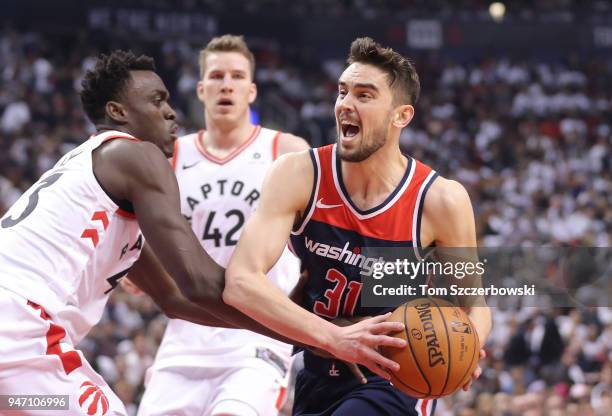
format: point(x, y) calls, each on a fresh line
point(530, 140)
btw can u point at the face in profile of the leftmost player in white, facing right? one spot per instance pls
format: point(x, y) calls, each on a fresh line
point(149, 115)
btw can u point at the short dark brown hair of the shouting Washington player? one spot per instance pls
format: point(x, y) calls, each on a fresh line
point(400, 71)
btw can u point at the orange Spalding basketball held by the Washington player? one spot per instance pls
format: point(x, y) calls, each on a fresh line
point(442, 351)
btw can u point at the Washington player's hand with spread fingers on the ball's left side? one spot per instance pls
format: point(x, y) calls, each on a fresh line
point(358, 343)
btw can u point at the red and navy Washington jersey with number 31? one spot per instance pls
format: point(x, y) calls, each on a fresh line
point(333, 232)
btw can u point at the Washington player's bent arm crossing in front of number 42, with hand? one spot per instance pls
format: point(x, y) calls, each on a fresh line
point(285, 194)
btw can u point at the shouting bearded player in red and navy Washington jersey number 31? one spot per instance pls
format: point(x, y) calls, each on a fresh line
point(334, 200)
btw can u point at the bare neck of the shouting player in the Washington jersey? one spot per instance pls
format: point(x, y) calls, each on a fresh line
point(370, 182)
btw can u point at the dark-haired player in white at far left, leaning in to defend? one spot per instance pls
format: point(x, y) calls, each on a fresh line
point(66, 243)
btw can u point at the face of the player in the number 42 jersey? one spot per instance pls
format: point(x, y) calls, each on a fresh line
point(227, 89)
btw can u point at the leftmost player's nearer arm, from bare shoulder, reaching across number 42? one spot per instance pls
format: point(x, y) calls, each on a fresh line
point(140, 173)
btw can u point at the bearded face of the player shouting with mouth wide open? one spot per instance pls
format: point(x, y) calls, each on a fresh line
point(363, 111)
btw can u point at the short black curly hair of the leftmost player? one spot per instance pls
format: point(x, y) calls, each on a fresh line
point(108, 79)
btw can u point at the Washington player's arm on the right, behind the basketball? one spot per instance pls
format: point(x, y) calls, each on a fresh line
point(448, 219)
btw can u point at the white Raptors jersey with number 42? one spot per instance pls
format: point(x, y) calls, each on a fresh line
point(217, 197)
